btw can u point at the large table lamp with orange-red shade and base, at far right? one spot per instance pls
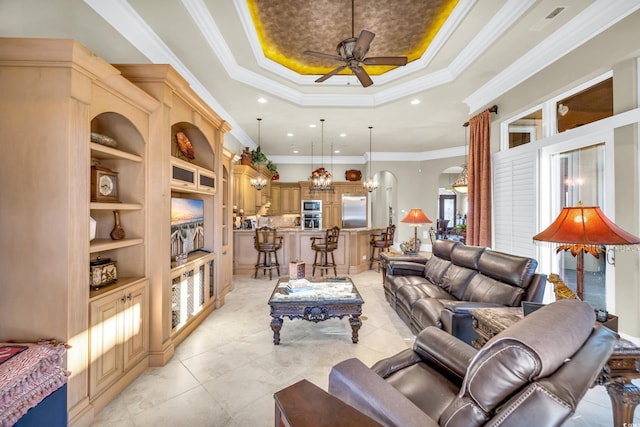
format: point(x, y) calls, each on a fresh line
point(584, 229)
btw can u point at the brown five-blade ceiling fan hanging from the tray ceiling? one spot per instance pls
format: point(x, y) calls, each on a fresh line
point(352, 51)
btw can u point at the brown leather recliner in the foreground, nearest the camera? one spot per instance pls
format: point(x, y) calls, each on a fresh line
point(533, 373)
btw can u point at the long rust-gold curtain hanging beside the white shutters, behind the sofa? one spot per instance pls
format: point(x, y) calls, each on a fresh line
point(479, 196)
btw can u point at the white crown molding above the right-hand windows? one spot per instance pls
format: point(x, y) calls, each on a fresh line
point(595, 19)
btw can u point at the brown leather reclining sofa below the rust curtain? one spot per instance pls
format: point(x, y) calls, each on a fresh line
point(456, 279)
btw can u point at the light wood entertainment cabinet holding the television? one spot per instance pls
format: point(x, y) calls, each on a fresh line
point(173, 173)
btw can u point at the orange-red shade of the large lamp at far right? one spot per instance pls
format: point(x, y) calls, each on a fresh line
point(585, 225)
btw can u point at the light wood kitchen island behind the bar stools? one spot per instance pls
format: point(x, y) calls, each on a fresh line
point(352, 255)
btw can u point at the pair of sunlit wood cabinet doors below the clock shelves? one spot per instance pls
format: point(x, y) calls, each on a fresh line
point(119, 334)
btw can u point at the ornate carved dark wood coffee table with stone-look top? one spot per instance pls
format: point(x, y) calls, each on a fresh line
point(328, 297)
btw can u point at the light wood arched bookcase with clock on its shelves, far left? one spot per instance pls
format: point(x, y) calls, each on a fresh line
point(55, 93)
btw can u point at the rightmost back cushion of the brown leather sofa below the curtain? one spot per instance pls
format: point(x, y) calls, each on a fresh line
point(512, 269)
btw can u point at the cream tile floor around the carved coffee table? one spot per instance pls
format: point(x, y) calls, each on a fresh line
point(226, 372)
